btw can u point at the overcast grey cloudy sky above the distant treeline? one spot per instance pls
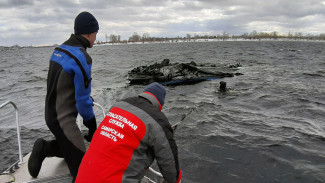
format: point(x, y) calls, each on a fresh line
point(47, 22)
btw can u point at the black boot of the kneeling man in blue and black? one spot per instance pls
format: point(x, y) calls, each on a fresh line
point(37, 157)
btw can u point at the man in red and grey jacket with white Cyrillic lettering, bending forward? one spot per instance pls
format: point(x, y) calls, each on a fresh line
point(131, 136)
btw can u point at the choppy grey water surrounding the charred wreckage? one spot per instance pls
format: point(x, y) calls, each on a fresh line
point(271, 128)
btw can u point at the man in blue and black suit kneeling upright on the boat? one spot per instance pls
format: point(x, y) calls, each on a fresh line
point(68, 93)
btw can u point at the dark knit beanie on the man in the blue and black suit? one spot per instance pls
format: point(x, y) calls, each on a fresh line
point(85, 23)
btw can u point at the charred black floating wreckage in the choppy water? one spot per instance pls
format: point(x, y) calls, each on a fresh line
point(175, 74)
